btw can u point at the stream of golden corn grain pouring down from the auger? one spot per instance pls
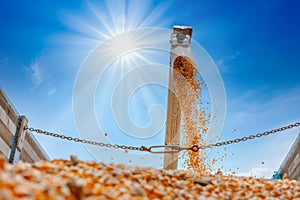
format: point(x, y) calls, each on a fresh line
point(194, 116)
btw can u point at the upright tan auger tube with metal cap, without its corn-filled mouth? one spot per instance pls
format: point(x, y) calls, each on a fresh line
point(180, 41)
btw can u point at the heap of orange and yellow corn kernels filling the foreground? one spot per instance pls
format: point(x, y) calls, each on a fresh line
point(75, 179)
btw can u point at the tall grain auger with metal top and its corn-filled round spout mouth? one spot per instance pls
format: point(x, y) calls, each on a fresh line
point(180, 61)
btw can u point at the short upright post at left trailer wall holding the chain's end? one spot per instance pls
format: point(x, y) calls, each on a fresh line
point(17, 140)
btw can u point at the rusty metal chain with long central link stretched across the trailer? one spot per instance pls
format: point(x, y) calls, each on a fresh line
point(168, 148)
